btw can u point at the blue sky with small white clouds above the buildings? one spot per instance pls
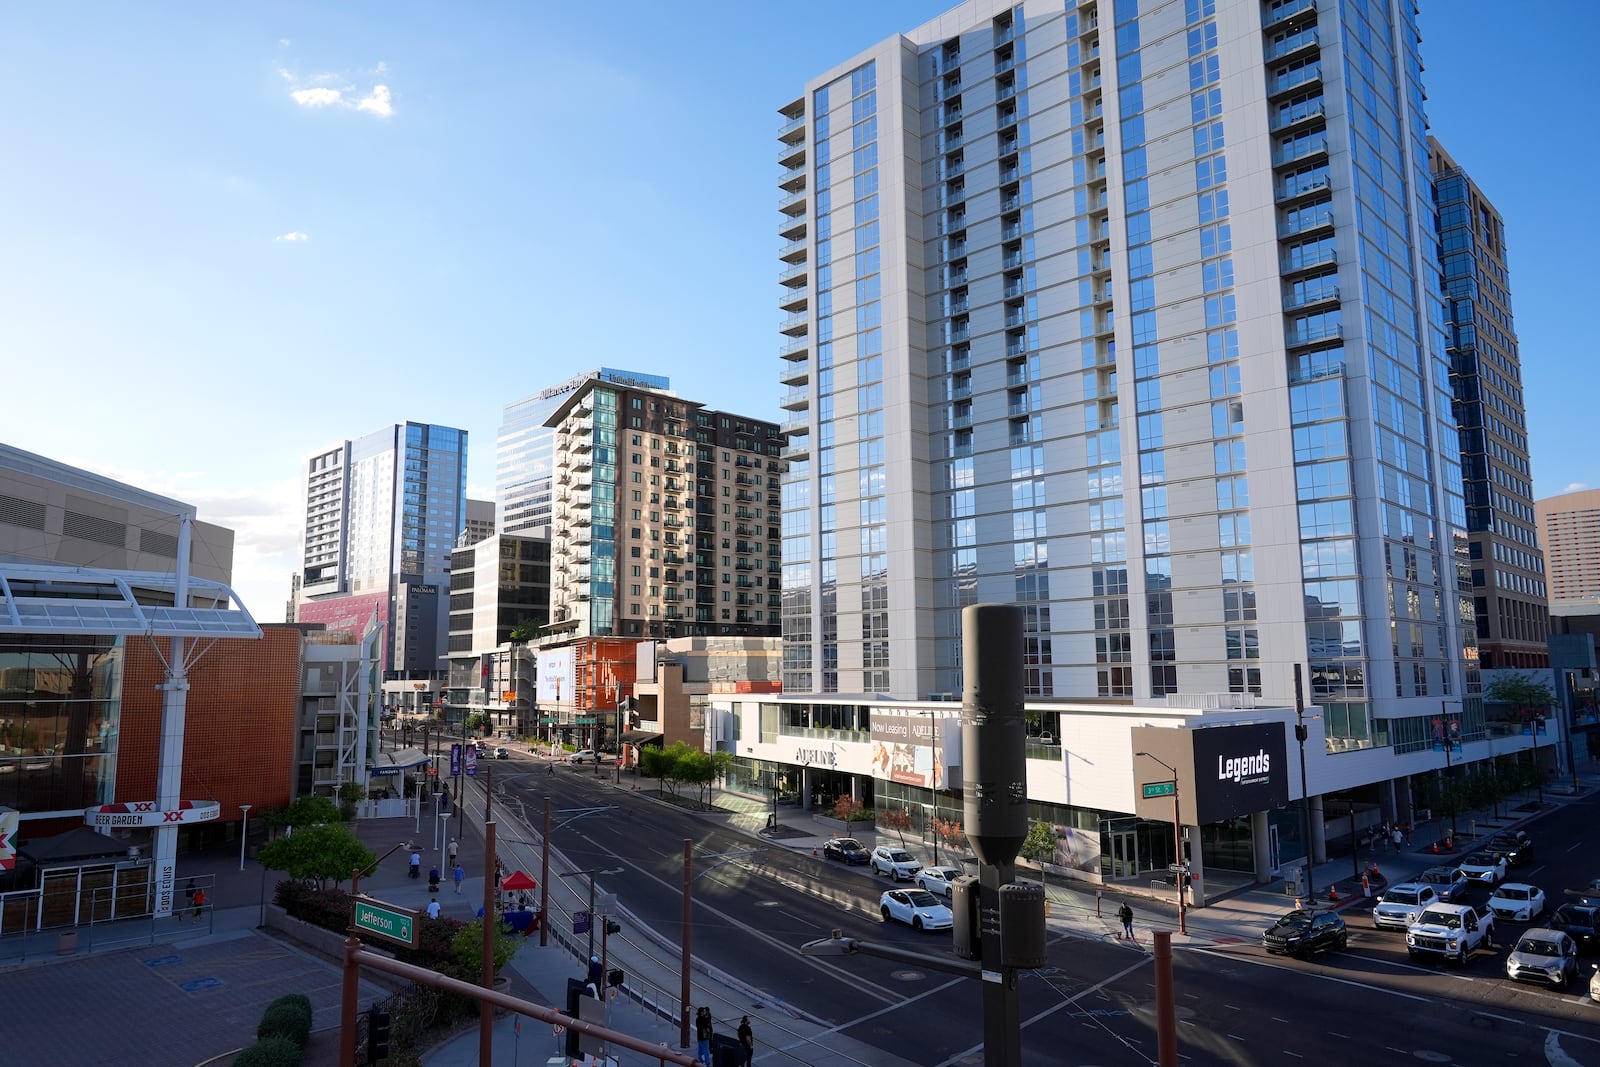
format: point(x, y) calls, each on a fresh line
point(234, 234)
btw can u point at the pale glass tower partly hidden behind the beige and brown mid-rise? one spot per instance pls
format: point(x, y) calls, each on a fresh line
point(526, 458)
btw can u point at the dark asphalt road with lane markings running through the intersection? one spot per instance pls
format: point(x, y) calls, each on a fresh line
point(1095, 1002)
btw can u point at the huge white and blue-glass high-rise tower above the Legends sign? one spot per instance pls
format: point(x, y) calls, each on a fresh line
point(1129, 314)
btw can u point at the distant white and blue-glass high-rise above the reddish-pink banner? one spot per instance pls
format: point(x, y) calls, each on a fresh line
point(383, 514)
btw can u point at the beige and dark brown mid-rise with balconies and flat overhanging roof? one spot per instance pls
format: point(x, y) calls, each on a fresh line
point(665, 518)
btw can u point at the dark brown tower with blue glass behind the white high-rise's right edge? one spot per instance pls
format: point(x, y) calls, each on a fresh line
point(1486, 369)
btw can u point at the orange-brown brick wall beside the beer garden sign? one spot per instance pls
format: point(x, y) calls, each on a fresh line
point(239, 732)
